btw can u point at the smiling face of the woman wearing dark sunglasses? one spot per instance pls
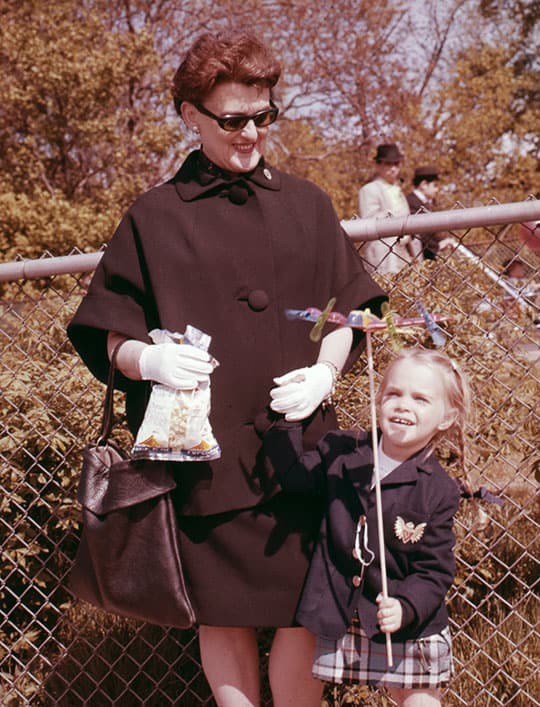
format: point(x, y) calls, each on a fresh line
point(238, 151)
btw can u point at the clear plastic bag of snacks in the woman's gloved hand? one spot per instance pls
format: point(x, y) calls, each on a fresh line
point(176, 425)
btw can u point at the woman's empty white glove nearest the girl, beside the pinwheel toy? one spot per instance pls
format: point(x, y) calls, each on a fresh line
point(301, 391)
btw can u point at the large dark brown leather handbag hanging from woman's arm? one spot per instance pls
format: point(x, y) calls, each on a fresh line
point(128, 561)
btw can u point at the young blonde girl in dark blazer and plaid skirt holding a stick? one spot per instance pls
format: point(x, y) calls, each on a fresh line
point(423, 397)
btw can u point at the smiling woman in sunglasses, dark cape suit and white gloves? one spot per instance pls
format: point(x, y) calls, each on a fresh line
point(227, 245)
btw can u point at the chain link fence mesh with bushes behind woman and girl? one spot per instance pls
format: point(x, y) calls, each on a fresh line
point(57, 651)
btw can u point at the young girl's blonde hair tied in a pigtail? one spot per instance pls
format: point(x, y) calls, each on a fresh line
point(455, 385)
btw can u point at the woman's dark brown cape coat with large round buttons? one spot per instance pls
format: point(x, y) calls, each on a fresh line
point(184, 253)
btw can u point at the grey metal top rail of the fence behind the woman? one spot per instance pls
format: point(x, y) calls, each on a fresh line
point(367, 229)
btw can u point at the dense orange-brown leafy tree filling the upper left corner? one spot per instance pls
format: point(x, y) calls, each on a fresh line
point(81, 129)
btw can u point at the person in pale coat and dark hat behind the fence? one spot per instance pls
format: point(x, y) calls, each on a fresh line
point(382, 197)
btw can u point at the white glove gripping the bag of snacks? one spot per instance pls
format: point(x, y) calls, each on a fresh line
point(180, 366)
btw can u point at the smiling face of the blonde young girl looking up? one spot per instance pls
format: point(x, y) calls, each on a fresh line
point(412, 409)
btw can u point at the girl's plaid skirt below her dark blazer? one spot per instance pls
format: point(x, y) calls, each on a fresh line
point(421, 663)
